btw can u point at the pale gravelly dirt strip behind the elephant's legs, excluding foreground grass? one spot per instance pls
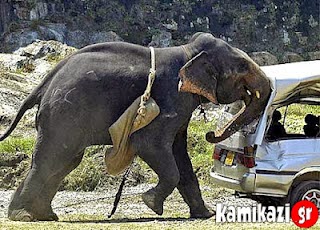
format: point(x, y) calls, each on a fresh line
point(131, 205)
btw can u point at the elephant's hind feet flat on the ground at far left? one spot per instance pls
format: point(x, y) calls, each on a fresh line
point(25, 216)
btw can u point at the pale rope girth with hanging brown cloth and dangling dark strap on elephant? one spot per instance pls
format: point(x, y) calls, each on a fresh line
point(141, 112)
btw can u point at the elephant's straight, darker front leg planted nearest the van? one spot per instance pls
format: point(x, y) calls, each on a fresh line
point(188, 185)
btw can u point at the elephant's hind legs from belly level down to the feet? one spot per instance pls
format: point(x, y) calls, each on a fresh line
point(51, 162)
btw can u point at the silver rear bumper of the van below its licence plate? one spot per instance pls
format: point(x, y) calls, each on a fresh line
point(245, 184)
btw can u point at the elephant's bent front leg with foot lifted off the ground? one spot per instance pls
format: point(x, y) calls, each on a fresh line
point(157, 153)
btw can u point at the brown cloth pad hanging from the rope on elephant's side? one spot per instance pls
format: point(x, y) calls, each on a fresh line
point(121, 155)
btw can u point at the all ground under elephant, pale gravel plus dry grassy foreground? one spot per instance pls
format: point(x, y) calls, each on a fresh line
point(89, 210)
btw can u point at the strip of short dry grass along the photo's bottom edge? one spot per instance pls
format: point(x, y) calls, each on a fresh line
point(101, 222)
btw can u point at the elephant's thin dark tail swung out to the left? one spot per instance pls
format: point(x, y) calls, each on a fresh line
point(28, 103)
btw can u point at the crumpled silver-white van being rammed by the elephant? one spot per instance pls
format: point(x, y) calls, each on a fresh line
point(267, 161)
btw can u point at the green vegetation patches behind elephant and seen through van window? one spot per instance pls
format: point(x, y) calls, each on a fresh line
point(91, 173)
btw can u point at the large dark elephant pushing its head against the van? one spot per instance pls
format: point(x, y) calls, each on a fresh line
point(88, 91)
